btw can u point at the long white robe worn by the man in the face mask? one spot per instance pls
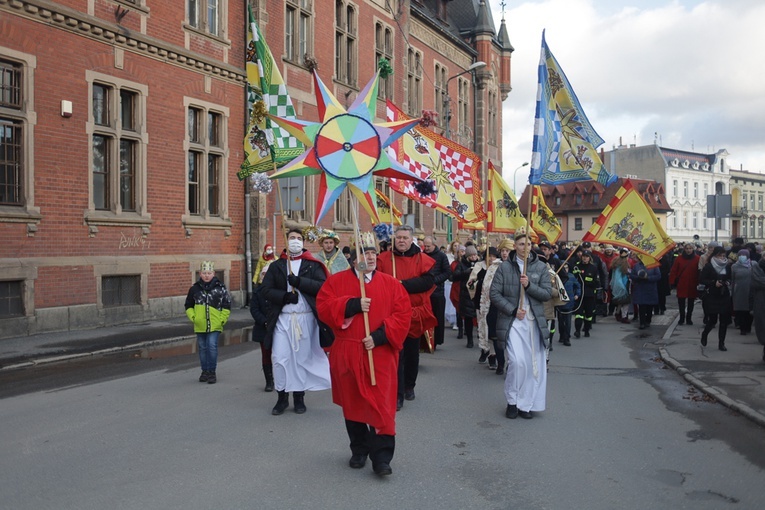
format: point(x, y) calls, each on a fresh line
point(299, 362)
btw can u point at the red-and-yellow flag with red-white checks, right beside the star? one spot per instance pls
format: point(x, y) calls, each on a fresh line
point(453, 169)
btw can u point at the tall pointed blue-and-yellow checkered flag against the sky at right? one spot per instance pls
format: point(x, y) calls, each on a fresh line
point(565, 142)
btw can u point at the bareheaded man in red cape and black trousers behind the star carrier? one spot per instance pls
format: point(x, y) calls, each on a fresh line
point(407, 264)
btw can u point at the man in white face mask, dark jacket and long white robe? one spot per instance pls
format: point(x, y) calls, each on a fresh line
point(290, 286)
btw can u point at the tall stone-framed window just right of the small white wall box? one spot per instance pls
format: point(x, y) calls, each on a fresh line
point(118, 141)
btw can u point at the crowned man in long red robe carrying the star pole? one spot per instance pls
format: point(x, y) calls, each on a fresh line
point(369, 411)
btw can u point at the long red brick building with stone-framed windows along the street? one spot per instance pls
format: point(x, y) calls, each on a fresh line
point(121, 128)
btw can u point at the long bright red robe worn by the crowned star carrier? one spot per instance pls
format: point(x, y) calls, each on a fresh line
point(348, 359)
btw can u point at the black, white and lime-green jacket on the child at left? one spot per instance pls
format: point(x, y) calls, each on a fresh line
point(208, 306)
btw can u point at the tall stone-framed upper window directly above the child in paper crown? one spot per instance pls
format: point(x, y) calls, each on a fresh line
point(206, 161)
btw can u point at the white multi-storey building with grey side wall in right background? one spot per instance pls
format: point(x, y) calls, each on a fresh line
point(688, 177)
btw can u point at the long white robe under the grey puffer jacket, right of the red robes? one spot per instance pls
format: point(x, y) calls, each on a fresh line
point(526, 379)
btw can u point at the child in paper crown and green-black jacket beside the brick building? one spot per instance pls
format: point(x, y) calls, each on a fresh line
point(208, 307)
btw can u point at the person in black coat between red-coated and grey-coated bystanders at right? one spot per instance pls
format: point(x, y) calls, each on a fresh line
point(717, 299)
